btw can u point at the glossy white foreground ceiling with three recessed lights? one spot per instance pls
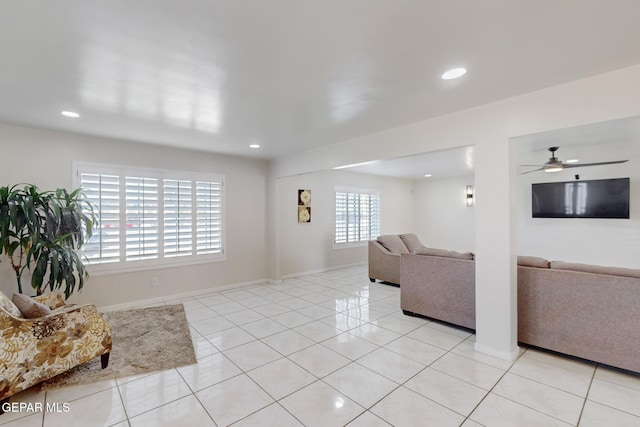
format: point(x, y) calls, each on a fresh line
point(290, 74)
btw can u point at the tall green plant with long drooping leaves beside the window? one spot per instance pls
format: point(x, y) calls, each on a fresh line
point(43, 232)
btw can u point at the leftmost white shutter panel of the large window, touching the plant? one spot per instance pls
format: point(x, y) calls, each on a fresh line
point(103, 191)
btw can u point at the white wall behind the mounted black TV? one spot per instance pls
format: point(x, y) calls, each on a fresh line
point(613, 242)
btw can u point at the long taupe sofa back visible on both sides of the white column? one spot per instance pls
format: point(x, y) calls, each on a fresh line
point(587, 311)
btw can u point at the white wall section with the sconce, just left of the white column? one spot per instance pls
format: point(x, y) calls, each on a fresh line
point(441, 216)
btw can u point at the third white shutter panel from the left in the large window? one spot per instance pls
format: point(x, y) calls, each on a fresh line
point(178, 217)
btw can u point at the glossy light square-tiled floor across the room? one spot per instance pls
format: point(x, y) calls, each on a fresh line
point(333, 349)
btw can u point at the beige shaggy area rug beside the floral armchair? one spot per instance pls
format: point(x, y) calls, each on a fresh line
point(144, 340)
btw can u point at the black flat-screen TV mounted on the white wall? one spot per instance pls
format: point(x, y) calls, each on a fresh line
point(602, 198)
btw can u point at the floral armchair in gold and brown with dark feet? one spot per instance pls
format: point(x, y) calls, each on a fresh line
point(34, 350)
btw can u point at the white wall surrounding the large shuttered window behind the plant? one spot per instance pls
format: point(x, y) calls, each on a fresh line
point(45, 158)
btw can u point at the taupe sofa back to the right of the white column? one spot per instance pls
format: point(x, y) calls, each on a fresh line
point(587, 311)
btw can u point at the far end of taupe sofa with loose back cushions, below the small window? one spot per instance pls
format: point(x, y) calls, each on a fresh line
point(384, 255)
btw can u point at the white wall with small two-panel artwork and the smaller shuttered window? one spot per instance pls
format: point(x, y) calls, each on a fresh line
point(309, 246)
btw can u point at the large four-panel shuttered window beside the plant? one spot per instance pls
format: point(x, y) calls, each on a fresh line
point(152, 218)
